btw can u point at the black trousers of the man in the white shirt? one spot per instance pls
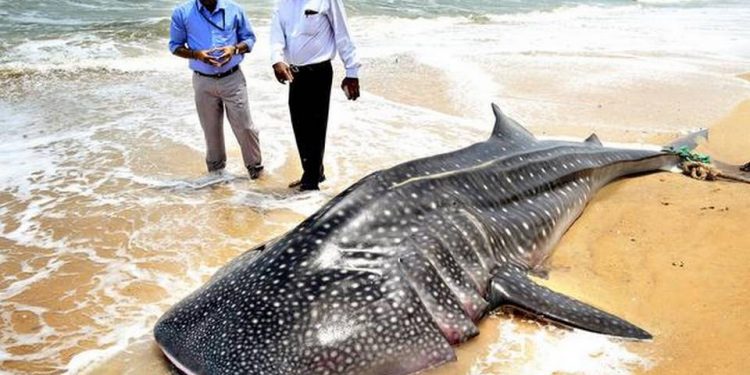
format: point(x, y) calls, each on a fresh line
point(309, 101)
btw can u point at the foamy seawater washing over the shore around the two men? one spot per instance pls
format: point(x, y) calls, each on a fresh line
point(105, 217)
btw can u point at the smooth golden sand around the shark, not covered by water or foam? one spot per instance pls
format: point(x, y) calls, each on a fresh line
point(664, 251)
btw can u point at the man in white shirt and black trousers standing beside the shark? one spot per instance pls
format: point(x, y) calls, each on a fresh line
point(305, 36)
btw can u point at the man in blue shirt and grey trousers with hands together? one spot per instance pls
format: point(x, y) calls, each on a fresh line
point(214, 35)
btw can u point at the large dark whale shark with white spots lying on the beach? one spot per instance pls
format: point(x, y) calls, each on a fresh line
point(397, 269)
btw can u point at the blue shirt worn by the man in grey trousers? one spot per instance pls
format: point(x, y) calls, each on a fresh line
point(195, 27)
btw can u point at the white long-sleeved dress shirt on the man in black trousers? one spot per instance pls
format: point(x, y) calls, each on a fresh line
point(305, 32)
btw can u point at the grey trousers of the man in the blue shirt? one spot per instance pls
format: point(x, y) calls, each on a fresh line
point(212, 97)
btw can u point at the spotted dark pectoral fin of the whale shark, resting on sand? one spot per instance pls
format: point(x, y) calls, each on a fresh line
point(511, 287)
